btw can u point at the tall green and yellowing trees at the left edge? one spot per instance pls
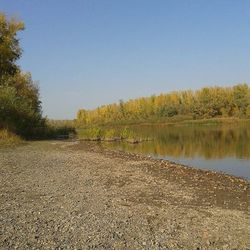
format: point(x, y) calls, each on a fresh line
point(20, 107)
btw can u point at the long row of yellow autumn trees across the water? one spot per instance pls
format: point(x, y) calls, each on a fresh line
point(207, 102)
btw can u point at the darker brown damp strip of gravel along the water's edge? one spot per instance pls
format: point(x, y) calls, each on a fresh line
point(185, 175)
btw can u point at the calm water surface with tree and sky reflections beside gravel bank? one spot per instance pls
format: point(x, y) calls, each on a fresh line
point(223, 148)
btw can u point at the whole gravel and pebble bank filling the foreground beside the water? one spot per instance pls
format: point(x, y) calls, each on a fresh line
point(70, 195)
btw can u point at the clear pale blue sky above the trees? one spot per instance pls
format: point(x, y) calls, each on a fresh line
point(85, 53)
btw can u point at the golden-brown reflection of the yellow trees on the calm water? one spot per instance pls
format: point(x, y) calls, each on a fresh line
point(195, 141)
